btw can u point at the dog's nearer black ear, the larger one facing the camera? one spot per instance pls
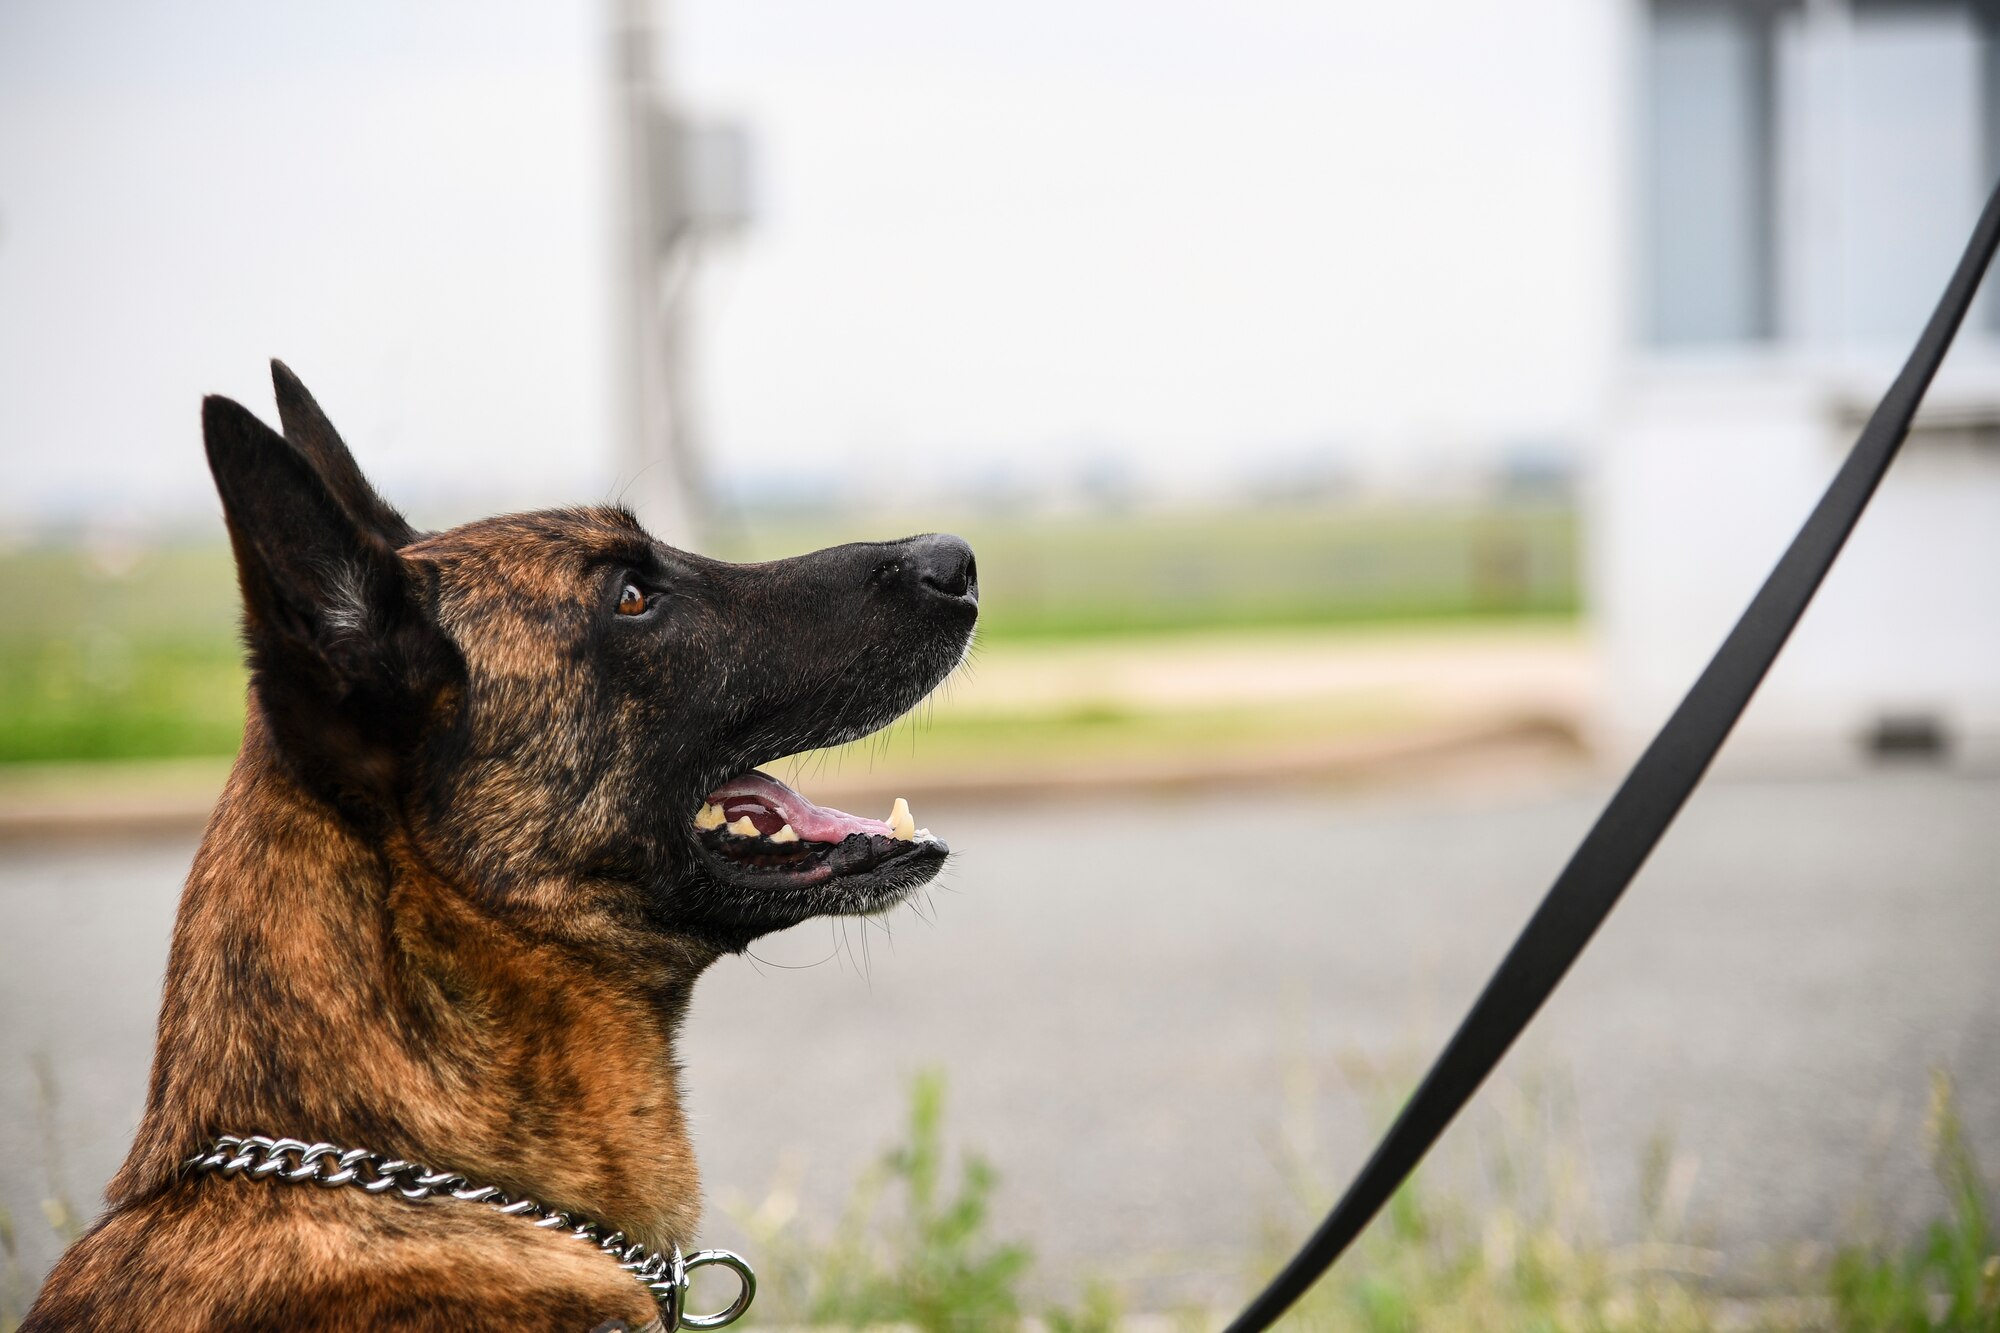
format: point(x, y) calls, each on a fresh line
point(345, 647)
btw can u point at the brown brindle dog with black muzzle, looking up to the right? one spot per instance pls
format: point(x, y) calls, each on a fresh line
point(495, 814)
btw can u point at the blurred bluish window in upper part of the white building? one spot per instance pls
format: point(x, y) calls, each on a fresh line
point(1813, 167)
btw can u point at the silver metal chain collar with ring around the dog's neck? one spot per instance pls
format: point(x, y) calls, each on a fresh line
point(329, 1166)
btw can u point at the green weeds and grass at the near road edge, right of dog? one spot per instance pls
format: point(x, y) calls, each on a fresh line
point(1531, 1256)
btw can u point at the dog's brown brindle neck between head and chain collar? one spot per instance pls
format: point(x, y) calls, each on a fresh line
point(329, 986)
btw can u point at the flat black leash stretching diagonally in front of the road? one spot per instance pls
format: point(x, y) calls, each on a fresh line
point(1643, 808)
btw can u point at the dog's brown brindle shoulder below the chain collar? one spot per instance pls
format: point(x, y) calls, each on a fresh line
point(303, 1260)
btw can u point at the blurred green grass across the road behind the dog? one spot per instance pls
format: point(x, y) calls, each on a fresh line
point(131, 653)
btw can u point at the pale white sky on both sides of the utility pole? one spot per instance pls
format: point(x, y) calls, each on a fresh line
point(1197, 237)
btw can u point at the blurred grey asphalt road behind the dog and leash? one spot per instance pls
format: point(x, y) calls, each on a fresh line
point(1141, 1004)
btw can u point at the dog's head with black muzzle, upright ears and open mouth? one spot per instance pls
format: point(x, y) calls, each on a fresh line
point(561, 712)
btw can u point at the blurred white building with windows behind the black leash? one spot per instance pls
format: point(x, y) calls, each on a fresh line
point(1807, 173)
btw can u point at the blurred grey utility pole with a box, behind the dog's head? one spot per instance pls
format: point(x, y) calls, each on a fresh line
point(679, 187)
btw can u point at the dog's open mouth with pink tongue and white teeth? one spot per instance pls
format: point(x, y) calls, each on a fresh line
point(759, 832)
